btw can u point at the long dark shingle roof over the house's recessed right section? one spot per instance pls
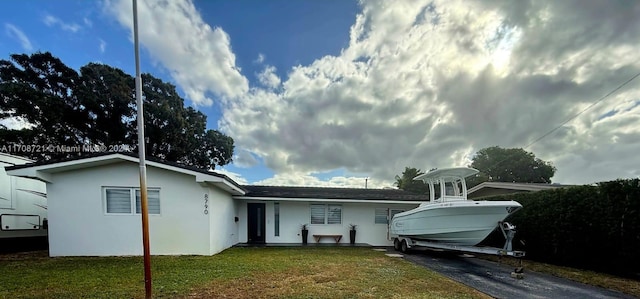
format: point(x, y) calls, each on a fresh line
point(332, 193)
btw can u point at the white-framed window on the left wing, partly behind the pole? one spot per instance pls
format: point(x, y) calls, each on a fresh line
point(127, 200)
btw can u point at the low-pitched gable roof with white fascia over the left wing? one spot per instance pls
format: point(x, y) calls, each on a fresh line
point(42, 170)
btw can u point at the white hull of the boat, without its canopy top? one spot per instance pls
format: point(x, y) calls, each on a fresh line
point(463, 222)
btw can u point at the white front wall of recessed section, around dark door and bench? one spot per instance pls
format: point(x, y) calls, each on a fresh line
point(295, 213)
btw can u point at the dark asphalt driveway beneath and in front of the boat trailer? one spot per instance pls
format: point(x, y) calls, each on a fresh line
point(495, 279)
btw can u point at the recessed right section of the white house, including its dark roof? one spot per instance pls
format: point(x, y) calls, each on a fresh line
point(327, 211)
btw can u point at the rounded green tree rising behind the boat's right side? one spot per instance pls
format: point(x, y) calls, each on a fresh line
point(510, 165)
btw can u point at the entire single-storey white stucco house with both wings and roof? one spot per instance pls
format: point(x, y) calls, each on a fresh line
point(93, 209)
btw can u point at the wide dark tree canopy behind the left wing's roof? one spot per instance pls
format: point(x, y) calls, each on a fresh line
point(96, 106)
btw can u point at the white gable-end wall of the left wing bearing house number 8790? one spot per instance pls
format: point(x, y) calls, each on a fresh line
point(79, 225)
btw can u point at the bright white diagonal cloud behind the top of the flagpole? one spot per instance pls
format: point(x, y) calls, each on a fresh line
point(198, 56)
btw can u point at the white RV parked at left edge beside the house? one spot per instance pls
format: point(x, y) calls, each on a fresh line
point(23, 203)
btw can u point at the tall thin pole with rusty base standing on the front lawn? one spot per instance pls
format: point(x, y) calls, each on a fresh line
point(143, 169)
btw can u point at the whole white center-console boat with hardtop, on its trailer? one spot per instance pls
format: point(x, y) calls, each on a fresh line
point(449, 217)
